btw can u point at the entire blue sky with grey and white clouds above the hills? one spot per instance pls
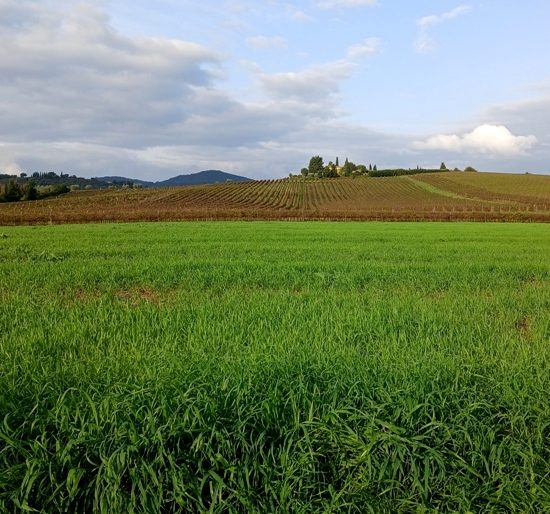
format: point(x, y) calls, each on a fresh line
point(150, 89)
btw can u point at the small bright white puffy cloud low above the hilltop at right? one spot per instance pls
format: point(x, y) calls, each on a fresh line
point(494, 140)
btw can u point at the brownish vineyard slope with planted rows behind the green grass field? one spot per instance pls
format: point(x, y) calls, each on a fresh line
point(437, 196)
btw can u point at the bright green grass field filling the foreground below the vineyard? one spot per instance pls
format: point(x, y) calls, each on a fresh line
point(275, 367)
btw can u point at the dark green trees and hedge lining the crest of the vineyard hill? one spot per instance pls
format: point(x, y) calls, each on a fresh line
point(318, 169)
